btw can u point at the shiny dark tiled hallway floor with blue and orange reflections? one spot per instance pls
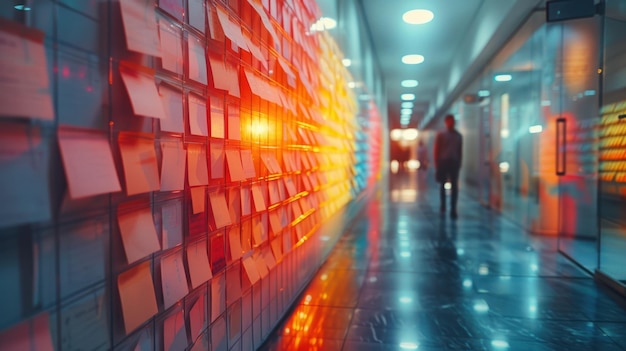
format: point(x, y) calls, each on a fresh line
point(405, 278)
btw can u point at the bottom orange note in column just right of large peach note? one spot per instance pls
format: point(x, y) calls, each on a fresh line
point(137, 296)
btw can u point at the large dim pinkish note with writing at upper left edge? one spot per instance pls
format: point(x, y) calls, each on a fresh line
point(24, 78)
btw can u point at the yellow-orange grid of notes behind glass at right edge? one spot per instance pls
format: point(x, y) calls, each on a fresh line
point(613, 148)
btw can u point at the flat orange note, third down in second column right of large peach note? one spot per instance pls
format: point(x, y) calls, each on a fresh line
point(173, 165)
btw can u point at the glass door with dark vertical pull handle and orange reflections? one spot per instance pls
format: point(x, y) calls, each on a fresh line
point(576, 161)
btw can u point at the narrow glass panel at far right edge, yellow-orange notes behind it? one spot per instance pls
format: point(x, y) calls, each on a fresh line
point(612, 146)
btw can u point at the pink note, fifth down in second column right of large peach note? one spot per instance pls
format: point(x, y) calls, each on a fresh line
point(173, 278)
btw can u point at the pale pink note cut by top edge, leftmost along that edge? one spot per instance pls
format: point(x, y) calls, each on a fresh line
point(140, 26)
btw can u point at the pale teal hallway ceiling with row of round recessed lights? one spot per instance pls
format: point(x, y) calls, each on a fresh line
point(456, 45)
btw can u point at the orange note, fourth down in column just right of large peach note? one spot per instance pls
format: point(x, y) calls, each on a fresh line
point(138, 233)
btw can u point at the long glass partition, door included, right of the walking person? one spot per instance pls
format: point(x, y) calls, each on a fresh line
point(534, 130)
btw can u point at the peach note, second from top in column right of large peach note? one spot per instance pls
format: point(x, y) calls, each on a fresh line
point(142, 91)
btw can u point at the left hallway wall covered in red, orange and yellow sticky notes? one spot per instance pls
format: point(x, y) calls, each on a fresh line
point(171, 172)
